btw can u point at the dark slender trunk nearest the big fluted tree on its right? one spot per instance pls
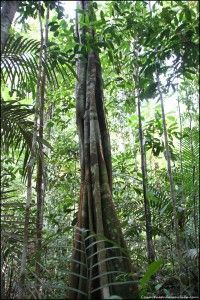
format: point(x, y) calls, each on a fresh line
point(150, 247)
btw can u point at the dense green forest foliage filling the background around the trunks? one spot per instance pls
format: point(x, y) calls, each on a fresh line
point(168, 31)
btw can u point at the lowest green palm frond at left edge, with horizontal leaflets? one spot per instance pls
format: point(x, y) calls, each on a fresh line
point(12, 227)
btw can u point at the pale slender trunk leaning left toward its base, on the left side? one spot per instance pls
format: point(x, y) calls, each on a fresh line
point(30, 168)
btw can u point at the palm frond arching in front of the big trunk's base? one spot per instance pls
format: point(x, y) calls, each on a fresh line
point(91, 259)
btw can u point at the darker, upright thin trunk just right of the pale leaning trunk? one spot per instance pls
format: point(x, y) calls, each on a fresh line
point(40, 184)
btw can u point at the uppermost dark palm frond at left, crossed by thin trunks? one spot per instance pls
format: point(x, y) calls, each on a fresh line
point(20, 61)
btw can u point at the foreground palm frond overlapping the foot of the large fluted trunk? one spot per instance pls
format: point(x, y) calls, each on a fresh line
point(112, 251)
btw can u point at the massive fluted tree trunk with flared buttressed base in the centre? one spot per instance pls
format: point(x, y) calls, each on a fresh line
point(96, 210)
